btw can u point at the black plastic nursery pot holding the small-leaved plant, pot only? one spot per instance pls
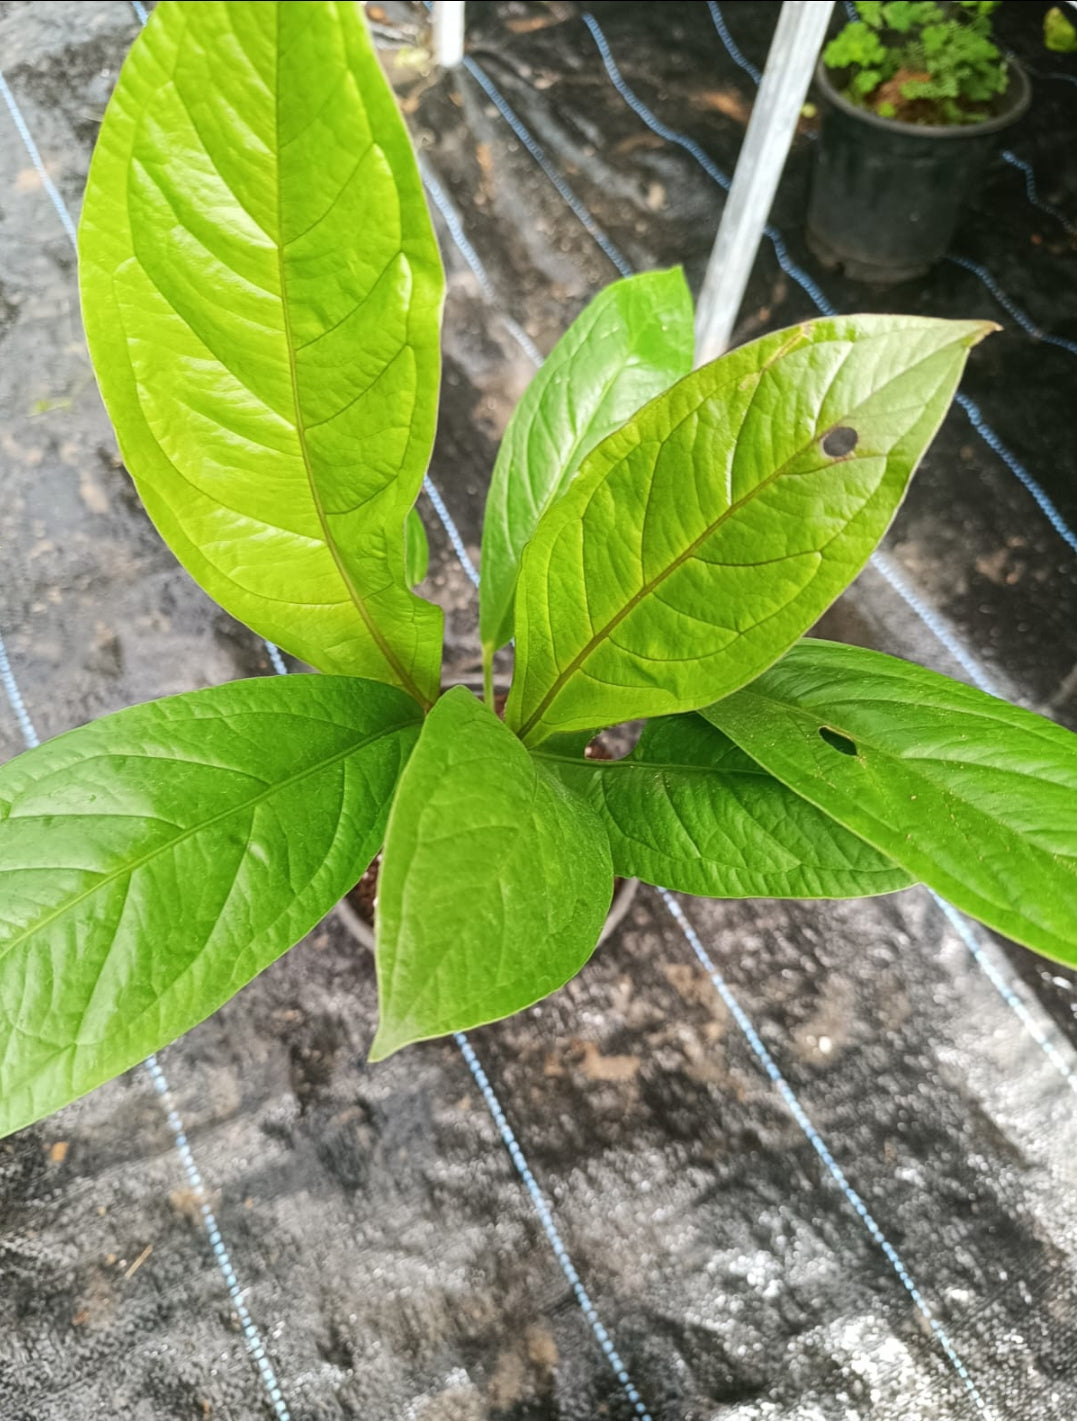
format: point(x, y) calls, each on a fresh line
point(886, 197)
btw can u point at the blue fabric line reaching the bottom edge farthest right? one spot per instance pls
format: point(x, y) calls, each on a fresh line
point(767, 1061)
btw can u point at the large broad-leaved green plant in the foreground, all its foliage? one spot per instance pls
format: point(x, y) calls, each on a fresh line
point(262, 296)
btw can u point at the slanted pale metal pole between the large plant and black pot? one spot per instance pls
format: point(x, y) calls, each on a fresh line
point(791, 65)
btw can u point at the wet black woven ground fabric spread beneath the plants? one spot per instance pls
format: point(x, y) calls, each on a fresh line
point(387, 1251)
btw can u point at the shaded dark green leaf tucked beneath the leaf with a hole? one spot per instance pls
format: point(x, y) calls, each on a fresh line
point(691, 812)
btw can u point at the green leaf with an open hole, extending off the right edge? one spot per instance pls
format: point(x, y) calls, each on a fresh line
point(971, 795)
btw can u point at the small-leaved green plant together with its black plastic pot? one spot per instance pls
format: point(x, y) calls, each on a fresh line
point(914, 97)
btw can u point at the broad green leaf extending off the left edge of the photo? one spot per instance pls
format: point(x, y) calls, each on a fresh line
point(154, 862)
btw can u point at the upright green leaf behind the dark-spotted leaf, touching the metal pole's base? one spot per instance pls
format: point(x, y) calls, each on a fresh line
point(630, 345)
